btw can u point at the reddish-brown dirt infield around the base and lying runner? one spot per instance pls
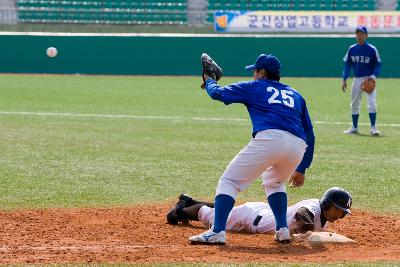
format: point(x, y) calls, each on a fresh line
point(140, 235)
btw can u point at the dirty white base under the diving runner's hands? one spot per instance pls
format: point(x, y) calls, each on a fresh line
point(322, 237)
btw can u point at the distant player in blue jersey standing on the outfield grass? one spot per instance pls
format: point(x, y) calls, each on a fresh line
point(366, 63)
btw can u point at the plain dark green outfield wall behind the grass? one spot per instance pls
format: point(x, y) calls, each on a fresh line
point(180, 55)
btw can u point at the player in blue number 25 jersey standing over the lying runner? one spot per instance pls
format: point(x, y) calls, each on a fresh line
point(282, 145)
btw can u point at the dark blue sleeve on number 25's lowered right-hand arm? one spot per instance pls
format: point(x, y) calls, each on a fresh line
point(310, 137)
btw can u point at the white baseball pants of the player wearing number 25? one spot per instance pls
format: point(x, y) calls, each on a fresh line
point(273, 154)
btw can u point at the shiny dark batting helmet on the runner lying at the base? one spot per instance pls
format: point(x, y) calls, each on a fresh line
point(338, 197)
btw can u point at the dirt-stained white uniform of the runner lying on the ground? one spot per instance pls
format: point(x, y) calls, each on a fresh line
point(257, 217)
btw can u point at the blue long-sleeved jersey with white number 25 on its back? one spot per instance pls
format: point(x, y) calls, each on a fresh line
point(271, 105)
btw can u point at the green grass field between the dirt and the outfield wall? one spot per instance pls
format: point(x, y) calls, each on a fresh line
point(70, 141)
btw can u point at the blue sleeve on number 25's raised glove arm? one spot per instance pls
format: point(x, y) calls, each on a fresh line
point(233, 93)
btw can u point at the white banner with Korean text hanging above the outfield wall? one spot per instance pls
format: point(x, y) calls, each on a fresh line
point(306, 21)
